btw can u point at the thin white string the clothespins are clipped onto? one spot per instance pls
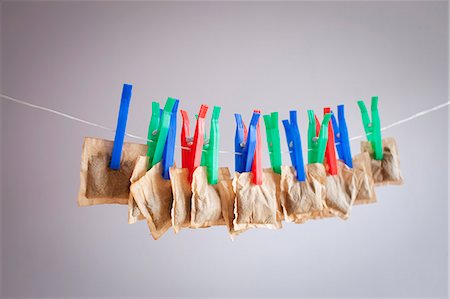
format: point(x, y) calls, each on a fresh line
point(399, 122)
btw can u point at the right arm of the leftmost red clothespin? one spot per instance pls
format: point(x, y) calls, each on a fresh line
point(197, 144)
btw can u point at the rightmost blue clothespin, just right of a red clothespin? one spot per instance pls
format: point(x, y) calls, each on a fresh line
point(341, 137)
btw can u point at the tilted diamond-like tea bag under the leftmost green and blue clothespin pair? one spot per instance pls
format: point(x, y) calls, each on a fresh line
point(153, 195)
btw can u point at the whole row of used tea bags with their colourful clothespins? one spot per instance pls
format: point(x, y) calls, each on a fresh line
point(201, 194)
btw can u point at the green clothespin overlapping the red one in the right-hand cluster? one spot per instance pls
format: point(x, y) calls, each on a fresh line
point(317, 145)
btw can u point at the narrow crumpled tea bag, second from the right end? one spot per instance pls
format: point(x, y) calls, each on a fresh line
point(364, 179)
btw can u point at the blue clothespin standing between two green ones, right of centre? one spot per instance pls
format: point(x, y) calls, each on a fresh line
point(295, 144)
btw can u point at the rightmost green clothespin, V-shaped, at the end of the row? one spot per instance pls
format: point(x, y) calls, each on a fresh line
point(372, 129)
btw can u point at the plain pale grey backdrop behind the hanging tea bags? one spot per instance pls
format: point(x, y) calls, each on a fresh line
point(74, 57)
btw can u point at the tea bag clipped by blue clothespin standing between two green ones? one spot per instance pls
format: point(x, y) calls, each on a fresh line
point(300, 200)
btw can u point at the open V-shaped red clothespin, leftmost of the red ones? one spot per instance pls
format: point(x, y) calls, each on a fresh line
point(192, 147)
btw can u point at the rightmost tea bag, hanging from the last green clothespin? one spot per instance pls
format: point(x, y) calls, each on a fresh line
point(386, 171)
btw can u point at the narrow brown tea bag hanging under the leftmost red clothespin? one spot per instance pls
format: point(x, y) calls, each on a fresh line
point(182, 194)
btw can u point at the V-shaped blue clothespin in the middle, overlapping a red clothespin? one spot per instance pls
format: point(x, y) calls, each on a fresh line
point(245, 147)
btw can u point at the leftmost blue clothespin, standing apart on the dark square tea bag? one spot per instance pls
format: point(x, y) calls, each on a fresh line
point(121, 126)
